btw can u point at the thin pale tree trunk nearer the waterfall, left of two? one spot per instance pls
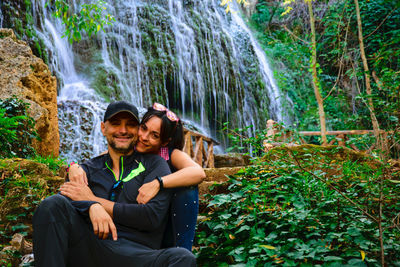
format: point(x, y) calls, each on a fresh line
point(315, 81)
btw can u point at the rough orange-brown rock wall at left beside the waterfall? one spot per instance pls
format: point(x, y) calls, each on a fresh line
point(29, 78)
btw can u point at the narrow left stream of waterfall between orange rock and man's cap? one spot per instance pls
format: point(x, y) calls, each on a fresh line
point(79, 106)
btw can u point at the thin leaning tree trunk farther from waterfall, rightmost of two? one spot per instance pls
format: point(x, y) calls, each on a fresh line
point(375, 124)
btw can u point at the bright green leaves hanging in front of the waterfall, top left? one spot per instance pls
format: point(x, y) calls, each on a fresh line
point(89, 18)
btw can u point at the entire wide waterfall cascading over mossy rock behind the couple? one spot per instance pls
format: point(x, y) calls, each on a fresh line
point(189, 55)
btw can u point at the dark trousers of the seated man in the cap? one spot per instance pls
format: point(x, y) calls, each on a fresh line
point(62, 237)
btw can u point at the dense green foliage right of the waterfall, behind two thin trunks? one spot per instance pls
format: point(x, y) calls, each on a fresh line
point(341, 75)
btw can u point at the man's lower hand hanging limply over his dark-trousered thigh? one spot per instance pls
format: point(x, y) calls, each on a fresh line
point(102, 222)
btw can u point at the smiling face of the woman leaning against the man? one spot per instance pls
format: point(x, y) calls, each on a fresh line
point(149, 136)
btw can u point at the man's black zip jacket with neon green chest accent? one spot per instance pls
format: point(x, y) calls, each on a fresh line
point(144, 224)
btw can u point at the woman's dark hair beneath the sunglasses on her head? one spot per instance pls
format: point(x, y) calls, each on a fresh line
point(171, 132)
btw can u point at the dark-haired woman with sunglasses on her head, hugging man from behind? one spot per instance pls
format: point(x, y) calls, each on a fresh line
point(161, 132)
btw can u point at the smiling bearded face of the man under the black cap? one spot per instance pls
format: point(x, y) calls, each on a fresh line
point(121, 132)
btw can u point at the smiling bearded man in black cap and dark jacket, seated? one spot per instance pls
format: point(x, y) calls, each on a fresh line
point(101, 224)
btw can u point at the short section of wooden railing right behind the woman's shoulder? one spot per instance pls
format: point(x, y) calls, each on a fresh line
point(196, 145)
